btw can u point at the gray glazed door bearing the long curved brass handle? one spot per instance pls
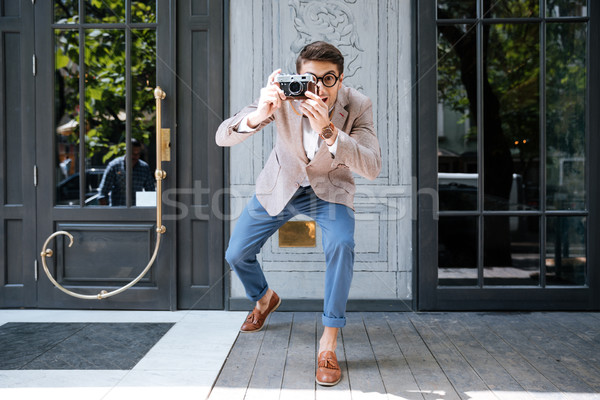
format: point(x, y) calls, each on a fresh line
point(97, 66)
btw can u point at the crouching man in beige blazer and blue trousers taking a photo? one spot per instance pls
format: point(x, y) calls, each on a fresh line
point(320, 142)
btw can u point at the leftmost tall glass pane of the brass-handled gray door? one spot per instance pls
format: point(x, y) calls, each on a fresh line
point(66, 101)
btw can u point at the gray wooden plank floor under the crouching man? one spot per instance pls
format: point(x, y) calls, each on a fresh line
point(421, 356)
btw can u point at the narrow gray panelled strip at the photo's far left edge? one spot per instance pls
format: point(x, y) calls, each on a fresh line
point(17, 152)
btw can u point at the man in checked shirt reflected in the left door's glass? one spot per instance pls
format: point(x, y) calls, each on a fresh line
point(113, 180)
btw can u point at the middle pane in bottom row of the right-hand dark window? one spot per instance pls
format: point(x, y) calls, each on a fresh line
point(511, 250)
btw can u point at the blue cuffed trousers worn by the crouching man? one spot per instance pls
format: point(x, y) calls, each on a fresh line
point(336, 221)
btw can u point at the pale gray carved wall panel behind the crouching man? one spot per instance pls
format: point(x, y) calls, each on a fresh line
point(374, 37)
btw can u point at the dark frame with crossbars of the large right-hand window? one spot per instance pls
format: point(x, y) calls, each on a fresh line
point(432, 296)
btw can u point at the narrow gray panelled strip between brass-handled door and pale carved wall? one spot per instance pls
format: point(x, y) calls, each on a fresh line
point(200, 197)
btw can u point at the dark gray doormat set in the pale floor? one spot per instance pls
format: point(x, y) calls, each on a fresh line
point(85, 346)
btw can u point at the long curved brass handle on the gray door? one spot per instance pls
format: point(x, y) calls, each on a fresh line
point(159, 175)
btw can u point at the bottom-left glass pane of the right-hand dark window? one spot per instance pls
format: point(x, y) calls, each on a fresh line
point(457, 251)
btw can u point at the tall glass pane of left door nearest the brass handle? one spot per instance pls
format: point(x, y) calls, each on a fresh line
point(143, 128)
